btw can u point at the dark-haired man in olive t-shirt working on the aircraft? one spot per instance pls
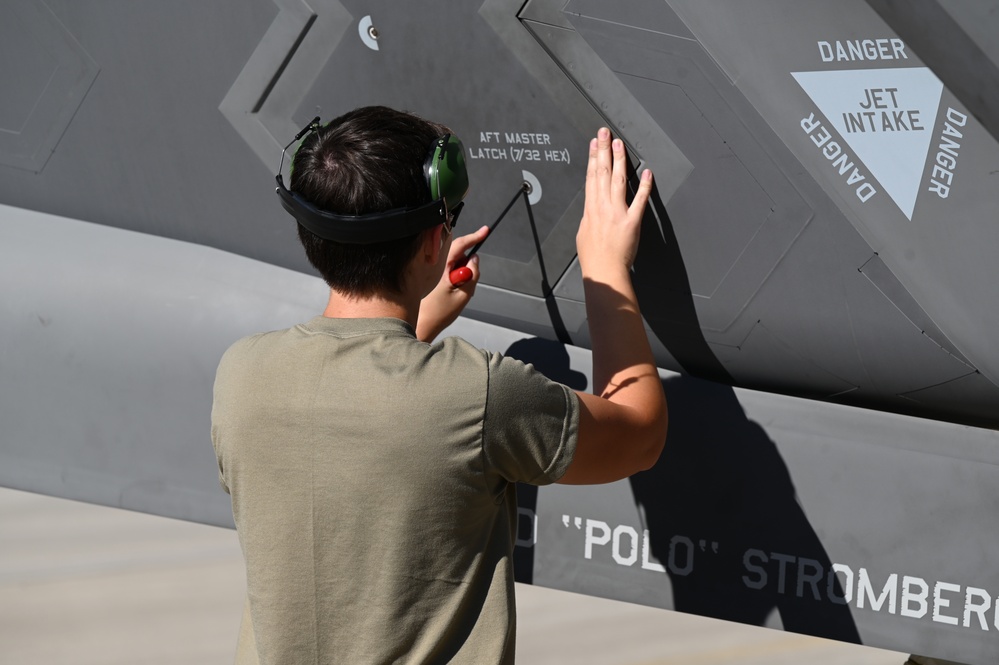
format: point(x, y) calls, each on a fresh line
point(372, 470)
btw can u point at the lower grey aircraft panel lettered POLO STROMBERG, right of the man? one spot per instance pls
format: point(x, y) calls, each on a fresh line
point(781, 530)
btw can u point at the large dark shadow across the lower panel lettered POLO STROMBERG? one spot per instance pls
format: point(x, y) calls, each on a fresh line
point(726, 526)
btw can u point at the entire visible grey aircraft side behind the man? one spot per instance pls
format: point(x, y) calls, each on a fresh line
point(823, 227)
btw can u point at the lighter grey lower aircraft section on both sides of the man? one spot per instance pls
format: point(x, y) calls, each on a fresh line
point(769, 510)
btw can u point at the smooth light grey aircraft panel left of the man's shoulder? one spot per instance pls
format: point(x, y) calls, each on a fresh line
point(109, 355)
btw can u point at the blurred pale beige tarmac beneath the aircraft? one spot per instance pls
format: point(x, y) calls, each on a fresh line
point(89, 585)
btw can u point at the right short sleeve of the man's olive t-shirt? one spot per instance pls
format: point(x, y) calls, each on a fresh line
point(531, 423)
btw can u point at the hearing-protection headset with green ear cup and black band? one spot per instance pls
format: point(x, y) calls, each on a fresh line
point(447, 180)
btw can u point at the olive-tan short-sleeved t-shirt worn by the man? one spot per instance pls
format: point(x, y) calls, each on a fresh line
point(372, 482)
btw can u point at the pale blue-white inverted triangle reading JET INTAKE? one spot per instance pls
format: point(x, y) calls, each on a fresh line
point(887, 116)
